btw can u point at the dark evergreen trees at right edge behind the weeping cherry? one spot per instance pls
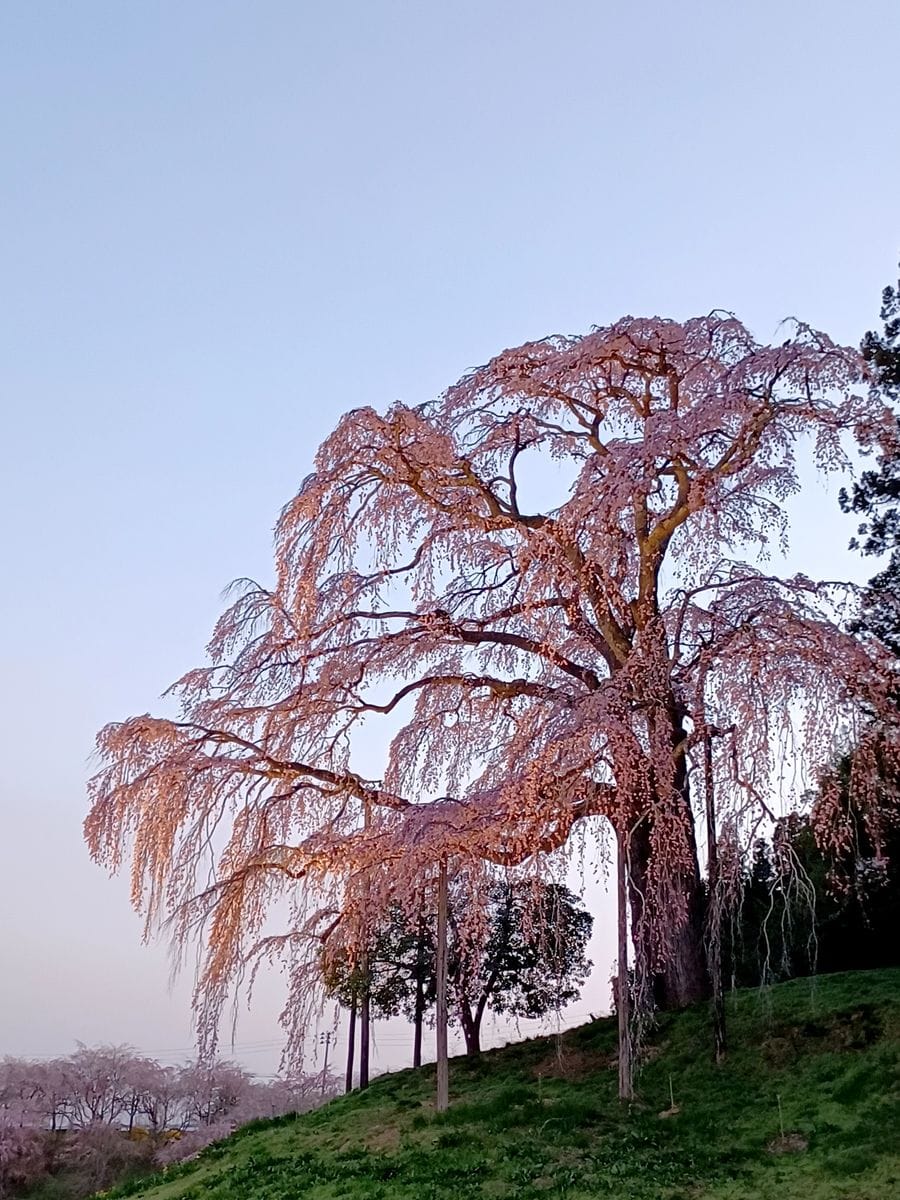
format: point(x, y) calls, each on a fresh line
point(802, 910)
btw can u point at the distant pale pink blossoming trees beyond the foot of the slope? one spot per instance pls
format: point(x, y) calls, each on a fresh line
point(76, 1125)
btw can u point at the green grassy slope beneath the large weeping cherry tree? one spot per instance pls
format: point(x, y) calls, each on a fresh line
point(807, 1108)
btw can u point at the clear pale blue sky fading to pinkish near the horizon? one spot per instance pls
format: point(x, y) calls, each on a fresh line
point(226, 224)
